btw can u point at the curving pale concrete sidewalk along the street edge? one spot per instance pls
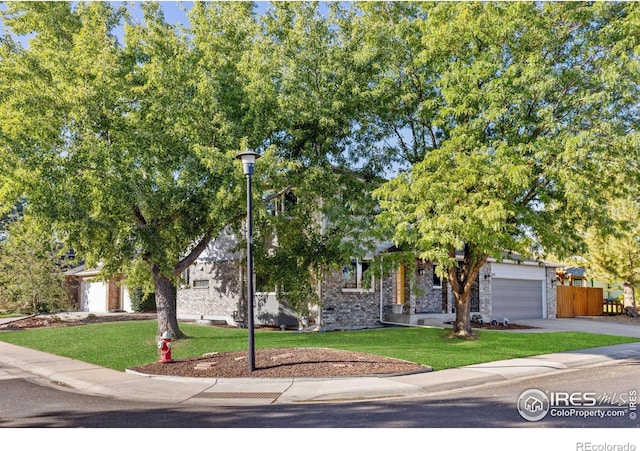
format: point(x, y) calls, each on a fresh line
point(96, 380)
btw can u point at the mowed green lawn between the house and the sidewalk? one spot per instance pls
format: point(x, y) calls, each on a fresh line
point(123, 345)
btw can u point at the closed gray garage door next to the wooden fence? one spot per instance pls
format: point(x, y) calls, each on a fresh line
point(516, 299)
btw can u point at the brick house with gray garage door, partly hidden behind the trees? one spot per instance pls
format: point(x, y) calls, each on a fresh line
point(214, 288)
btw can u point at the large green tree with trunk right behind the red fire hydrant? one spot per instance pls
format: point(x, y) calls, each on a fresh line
point(126, 146)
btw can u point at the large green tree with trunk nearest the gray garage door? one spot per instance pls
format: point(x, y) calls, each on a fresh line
point(507, 112)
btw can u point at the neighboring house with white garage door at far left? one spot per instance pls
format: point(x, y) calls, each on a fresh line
point(93, 295)
